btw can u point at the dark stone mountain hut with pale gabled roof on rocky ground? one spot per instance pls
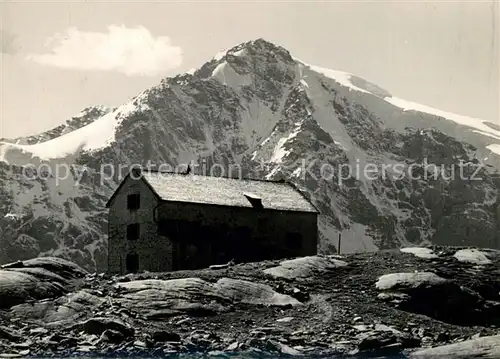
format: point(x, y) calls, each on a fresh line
point(166, 221)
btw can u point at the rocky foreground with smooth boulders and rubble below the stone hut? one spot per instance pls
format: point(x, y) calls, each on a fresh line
point(415, 302)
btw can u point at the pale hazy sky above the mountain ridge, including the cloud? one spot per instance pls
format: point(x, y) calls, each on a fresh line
point(59, 57)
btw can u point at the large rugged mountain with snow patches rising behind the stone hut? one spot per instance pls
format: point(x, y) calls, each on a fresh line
point(256, 108)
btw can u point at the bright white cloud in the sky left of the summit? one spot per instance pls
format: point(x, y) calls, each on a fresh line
point(132, 51)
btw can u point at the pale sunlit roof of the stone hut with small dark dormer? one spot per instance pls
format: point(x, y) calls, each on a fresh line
point(225, 191)
